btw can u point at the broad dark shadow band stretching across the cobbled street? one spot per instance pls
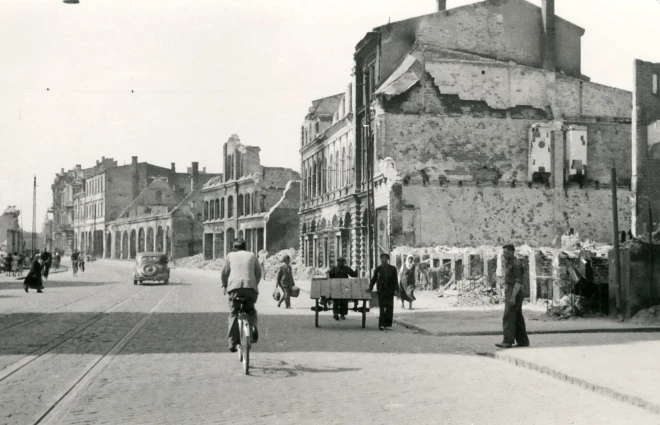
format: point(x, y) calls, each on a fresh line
point(206, 333)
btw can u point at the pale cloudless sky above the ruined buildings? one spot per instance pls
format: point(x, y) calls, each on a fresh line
point(172, 80)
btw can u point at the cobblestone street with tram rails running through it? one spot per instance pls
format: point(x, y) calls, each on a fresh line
point(98, 350)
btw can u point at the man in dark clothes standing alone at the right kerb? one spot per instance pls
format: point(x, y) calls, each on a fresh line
point(513, 321)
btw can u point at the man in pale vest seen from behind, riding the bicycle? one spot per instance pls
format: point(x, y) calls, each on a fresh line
point(241, 275)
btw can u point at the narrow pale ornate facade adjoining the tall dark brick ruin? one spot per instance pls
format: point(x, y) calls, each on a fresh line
point(327, 152)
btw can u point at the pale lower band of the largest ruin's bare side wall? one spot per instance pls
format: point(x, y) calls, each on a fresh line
point(474, 216)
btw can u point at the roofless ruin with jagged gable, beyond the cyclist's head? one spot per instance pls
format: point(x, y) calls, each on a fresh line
point(256, 203)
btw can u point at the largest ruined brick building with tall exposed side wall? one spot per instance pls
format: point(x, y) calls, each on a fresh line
point(471, 126)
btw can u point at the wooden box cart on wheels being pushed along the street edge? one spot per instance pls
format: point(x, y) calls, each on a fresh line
point(323, 290)
